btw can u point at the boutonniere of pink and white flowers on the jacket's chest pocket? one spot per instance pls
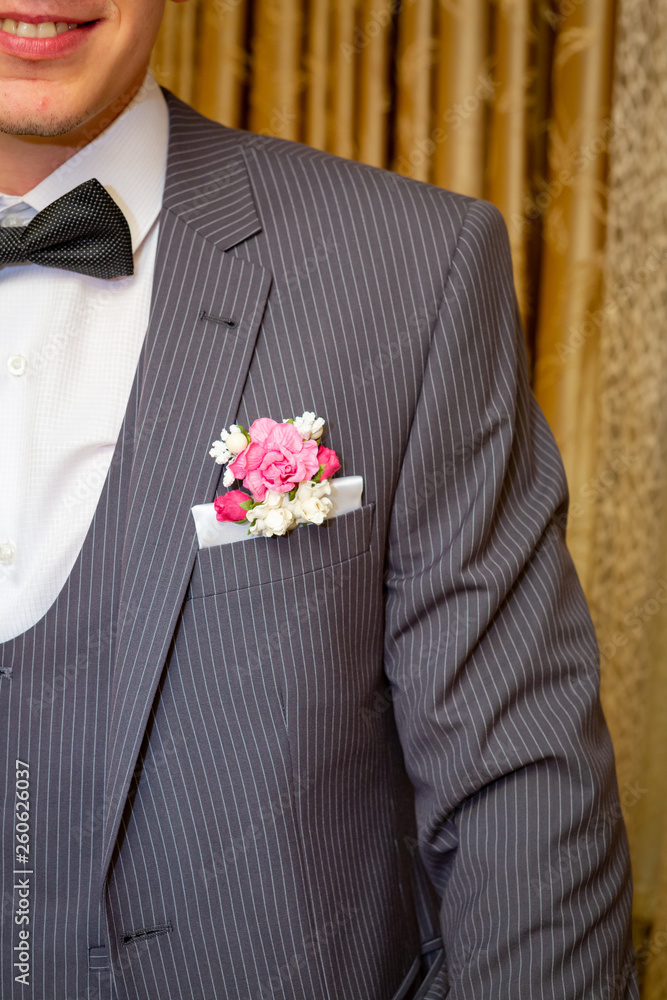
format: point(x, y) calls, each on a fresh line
point(284, 468)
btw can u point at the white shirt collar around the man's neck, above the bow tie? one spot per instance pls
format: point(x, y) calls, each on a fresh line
point(129, 159)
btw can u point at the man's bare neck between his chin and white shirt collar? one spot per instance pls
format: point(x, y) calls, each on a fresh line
point(25, 160)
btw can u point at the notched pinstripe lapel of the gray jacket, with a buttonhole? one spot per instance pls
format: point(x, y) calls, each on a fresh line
point(192, 373)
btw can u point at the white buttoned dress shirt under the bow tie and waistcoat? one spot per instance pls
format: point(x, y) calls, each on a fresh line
point(69, 347)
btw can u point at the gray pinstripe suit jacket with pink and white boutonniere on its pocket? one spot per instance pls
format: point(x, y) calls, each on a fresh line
point(301, 727)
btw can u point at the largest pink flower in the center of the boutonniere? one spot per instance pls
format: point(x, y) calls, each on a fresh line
point(277, 459)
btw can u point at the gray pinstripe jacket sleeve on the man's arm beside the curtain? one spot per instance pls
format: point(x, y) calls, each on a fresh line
point(493, 663)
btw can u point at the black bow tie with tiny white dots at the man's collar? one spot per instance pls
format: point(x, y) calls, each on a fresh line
point(83, 231)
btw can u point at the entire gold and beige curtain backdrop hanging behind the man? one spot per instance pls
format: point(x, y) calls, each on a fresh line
point(556, 112)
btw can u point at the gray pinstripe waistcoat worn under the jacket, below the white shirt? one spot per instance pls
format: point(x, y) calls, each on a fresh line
point(54, 700)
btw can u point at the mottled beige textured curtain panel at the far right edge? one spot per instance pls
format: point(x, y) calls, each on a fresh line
point(628, 561)
